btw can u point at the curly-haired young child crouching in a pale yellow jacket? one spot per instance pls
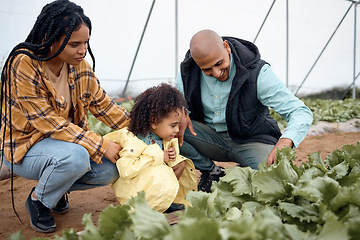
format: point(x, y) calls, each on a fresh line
point(150, 160)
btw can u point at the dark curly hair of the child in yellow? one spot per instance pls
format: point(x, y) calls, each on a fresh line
point(152, 106)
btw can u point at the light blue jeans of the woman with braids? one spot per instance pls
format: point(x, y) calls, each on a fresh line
point(61, 166)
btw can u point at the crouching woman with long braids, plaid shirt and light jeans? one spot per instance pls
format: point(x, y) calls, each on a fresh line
point(47, 90)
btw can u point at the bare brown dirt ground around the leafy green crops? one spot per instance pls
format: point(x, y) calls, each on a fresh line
point(95, 200)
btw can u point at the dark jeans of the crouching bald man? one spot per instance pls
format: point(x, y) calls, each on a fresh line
point(210, 145)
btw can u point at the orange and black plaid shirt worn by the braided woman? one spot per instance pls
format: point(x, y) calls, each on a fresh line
point(38, 111)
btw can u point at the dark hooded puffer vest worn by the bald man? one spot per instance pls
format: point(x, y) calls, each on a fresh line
point(247, 119)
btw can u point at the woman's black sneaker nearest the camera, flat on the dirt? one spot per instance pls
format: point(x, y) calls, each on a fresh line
point(41, 219)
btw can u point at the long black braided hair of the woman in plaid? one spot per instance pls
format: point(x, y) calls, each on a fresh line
point(57, 19)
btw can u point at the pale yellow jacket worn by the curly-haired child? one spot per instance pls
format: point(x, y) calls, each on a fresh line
point(142, 168)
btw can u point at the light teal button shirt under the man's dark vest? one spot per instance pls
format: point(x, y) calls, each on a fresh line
point(271, 92)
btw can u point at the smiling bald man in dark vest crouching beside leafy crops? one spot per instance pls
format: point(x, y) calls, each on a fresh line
point(229, 90)
